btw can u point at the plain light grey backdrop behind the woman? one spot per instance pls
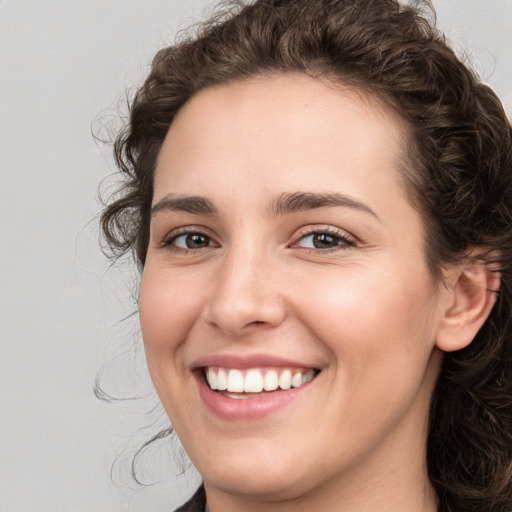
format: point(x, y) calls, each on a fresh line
point(65, 66)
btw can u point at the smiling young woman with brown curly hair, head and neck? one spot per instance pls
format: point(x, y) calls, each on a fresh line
point(319, 196)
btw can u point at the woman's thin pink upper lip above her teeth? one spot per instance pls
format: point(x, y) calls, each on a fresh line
point(248, 361)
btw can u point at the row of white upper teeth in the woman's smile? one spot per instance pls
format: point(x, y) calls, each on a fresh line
point(256, 380)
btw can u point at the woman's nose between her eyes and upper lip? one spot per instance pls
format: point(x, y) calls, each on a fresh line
point(246, 294)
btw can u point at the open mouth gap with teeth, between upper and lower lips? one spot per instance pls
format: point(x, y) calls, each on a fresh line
point(255, 382)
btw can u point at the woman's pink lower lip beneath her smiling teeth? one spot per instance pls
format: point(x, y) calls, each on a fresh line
point(247, 408)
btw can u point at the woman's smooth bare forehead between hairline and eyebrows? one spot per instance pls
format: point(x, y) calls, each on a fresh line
point(287, 130)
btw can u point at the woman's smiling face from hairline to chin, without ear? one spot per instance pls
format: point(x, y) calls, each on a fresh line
point(286, 268)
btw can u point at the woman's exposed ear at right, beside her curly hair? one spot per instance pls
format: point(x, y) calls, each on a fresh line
point(470, 296)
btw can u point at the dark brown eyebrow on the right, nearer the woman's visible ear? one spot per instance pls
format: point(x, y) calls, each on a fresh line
point(304, 201)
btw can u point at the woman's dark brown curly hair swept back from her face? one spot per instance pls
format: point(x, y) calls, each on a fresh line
point(460, 179)
